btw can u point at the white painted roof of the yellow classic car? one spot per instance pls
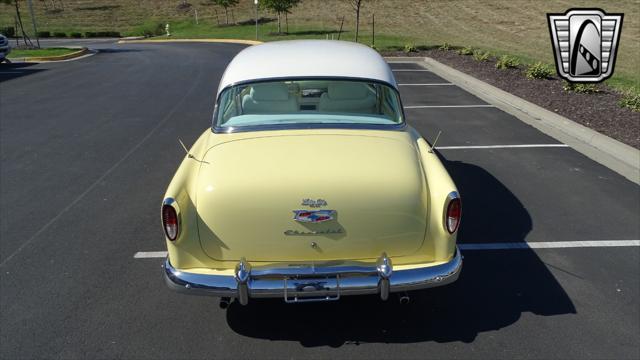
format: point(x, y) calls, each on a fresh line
point(306, 58)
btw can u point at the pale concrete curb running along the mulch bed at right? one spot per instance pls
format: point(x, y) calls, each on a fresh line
point(609, 152)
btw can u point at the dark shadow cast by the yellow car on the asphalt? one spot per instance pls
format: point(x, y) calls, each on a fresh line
point(494, 288)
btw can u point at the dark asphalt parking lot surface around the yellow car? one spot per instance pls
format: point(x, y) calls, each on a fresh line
point(89, 146)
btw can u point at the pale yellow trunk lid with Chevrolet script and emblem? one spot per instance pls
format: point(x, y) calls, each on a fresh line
point(248, 190)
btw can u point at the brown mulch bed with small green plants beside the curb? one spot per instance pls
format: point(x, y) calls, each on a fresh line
point(598, 111)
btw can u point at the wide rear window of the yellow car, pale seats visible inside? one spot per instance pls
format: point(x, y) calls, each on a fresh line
point(313, 101)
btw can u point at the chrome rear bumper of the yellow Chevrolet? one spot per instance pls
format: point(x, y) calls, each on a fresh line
point(312, 282)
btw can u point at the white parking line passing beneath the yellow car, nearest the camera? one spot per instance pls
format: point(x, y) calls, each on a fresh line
point(488, 246)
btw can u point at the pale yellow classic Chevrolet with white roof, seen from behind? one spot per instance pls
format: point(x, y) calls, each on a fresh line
point(309, 185)
